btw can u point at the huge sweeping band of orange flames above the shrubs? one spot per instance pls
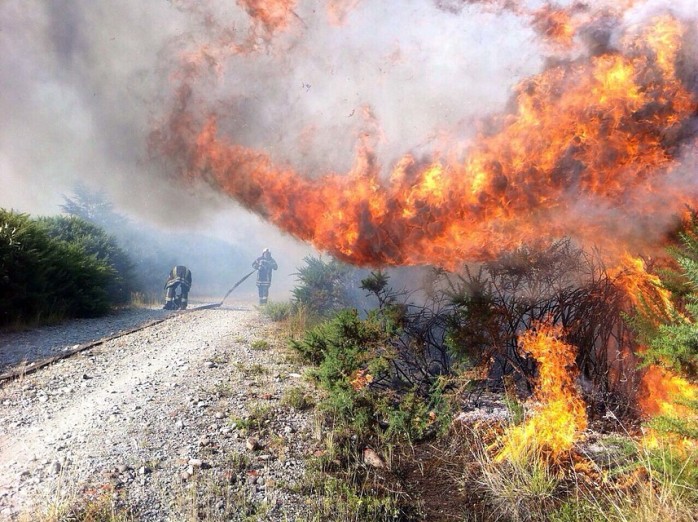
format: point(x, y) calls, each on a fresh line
point(588, 152)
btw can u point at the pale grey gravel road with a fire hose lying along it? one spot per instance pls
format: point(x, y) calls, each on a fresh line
point(186, 419)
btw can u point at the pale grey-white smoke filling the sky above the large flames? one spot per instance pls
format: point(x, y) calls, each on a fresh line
point(91, 89)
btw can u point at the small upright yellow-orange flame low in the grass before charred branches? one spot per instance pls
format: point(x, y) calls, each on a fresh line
point(560, 415)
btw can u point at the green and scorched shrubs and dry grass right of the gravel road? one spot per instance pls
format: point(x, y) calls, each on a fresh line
point(393, 377)
